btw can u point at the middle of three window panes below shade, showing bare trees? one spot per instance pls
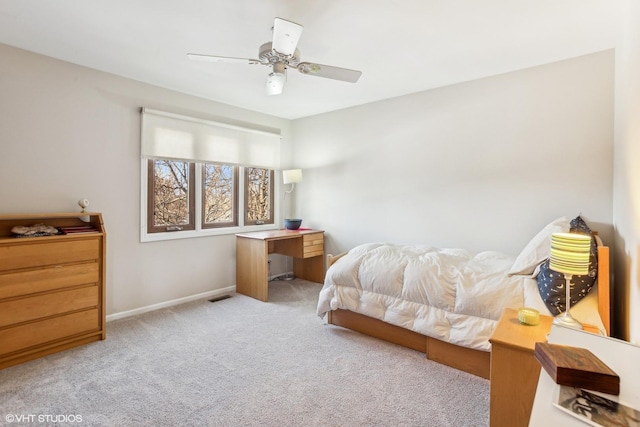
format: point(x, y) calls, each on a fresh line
point(220, 206)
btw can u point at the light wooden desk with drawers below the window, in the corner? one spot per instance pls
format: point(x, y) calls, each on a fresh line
point(252, 258)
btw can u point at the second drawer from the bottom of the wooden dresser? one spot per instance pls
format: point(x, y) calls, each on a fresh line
point(37, 307)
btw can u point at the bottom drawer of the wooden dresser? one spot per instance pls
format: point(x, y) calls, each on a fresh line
point(47, 331)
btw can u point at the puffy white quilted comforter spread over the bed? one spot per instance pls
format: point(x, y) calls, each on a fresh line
point(450, 294)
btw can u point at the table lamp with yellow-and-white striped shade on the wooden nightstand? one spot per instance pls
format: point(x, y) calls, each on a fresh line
point(569, 255)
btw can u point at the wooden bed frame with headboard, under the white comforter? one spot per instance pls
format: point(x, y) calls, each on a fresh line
point(476, 362)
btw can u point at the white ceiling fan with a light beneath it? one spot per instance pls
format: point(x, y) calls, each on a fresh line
point(280, 54)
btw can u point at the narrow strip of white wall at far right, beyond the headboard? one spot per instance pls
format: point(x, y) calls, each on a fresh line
point(627, 178)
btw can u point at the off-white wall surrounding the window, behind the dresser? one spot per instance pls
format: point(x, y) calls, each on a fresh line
point(68, 132)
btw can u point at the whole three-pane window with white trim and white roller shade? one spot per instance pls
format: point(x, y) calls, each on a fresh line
point(201, 177)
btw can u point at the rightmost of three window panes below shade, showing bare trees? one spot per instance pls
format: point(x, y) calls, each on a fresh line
point(259, 196)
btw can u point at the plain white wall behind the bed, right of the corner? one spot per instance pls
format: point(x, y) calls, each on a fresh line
point(481, 165)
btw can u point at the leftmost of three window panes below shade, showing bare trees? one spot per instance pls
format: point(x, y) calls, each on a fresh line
point(171, 195)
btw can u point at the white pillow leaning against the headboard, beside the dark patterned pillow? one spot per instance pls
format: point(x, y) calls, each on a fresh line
point(537, 250)
